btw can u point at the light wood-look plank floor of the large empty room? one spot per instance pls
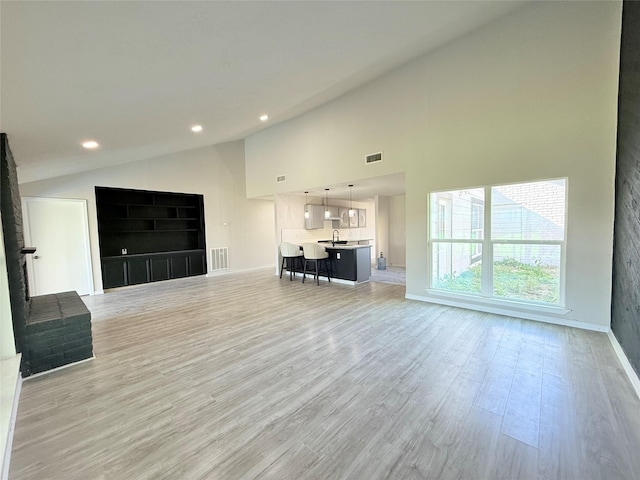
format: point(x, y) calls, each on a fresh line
point(251, 376)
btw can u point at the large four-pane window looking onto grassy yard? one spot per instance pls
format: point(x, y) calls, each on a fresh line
point(502, 242)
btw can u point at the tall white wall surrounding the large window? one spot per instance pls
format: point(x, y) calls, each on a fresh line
point(531, 96)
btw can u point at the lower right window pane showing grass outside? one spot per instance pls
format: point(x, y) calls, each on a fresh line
point(527, 272)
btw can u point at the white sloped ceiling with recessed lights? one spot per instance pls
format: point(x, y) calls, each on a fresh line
point(135, 76)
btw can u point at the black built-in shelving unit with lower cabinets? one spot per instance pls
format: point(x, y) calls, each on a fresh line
point(147, 236)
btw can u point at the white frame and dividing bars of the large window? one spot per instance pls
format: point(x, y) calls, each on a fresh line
point(487, 249)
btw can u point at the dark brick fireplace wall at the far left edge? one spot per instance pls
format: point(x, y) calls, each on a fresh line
point(13, 244)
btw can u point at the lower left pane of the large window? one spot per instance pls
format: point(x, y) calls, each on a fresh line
point(456, 267)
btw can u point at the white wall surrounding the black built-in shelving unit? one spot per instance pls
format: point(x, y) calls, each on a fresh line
point(217, 172)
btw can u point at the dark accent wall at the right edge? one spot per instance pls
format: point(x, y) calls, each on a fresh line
point(625, 308)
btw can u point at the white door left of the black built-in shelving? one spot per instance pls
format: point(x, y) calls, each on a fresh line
point(59, 230)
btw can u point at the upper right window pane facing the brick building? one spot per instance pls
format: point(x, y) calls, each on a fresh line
point(528, 211)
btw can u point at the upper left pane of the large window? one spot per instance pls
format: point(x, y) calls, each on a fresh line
point(458, 214)
